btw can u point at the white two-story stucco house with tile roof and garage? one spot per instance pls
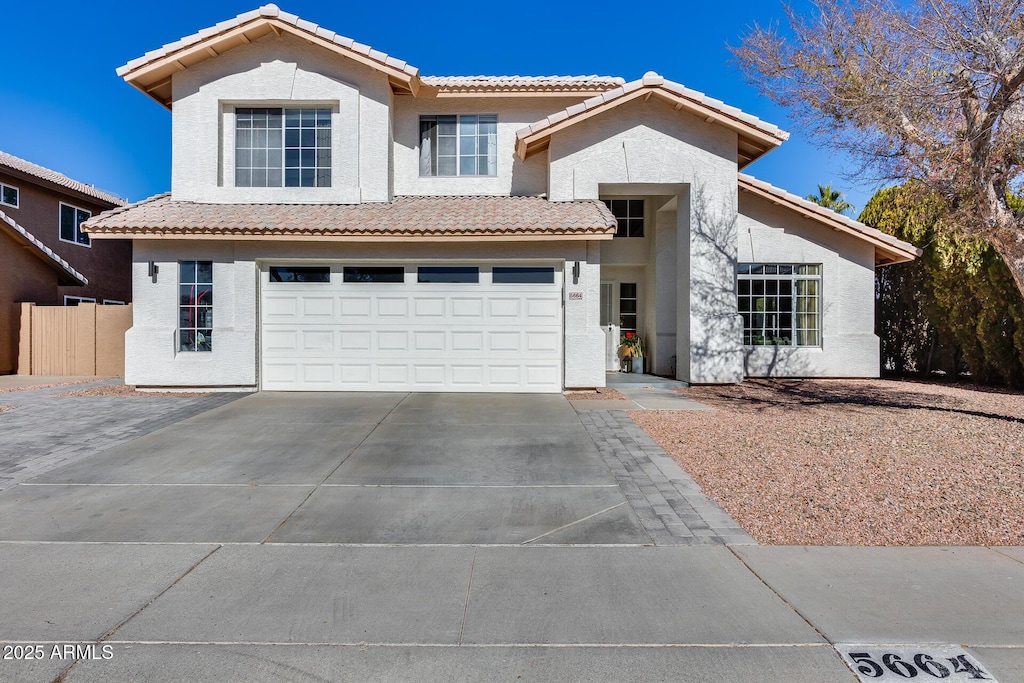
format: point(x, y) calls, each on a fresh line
point(337, 222)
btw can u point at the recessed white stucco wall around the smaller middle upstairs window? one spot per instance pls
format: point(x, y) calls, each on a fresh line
point(515, 177)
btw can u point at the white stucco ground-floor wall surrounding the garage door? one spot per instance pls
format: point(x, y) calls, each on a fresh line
point(152, 354)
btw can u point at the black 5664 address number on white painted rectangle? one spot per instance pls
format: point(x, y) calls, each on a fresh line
point(880, 663)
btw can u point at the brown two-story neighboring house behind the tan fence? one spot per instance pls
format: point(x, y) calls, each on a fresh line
point(46, 258)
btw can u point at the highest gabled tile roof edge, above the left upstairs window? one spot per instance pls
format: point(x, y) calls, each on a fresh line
point(152, 73)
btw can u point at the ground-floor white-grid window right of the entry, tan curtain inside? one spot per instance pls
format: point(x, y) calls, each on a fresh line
point(781, 304)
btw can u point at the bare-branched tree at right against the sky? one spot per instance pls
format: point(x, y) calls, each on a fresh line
point(926, 90)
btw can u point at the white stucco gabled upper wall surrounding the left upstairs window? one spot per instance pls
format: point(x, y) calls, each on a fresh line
point(278, 71)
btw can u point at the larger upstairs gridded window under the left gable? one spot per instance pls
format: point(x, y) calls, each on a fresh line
point(282, 148)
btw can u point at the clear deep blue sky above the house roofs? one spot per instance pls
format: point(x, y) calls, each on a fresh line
point(62, 106)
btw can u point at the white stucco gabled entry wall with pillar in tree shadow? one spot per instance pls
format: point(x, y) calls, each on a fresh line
point(652, 145)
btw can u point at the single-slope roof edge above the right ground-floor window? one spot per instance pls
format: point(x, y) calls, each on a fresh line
point(888, 250)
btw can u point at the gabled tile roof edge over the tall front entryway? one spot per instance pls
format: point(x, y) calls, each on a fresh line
point(756, 137)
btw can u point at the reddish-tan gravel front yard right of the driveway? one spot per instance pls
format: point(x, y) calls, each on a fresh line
point(866, 462)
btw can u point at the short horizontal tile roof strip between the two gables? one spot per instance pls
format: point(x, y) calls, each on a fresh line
point(482, 87)
